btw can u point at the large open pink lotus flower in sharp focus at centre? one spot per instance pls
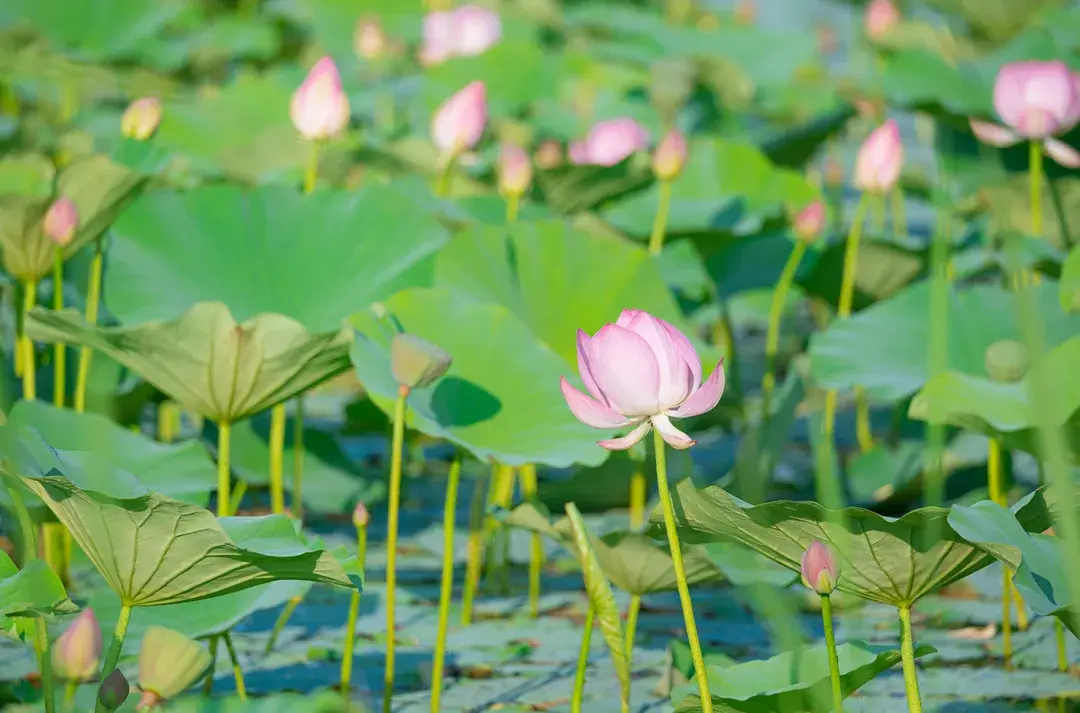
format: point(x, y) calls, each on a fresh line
point(641, 372)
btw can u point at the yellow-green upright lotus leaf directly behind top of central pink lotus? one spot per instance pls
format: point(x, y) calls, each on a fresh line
point(541, 273)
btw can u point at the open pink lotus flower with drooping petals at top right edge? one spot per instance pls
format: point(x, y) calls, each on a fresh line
point(1036, 101)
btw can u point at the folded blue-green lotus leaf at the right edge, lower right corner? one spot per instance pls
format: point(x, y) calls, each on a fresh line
point(1038, 561)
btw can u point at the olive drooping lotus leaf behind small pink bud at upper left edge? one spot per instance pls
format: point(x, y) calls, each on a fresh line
point(100, 190)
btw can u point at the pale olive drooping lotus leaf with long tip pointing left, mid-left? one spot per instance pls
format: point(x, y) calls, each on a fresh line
point(208, 361)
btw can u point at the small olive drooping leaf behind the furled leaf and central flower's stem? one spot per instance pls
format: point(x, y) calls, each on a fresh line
point(633, 562)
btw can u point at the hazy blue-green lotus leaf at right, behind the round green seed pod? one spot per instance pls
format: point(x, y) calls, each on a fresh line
point(884, 348)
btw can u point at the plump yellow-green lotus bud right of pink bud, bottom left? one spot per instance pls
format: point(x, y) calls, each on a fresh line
point(169, 664)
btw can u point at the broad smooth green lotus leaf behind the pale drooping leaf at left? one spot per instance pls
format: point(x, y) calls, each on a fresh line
point(318, 259)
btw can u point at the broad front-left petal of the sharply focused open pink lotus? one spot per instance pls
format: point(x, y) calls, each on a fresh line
point(626, 371)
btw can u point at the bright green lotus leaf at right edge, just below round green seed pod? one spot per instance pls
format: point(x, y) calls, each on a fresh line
point(1005, 410)
